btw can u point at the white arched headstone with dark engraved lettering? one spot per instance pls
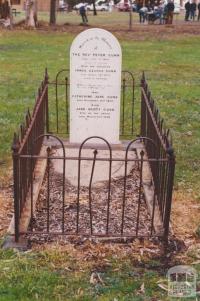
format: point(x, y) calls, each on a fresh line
point(95, 85)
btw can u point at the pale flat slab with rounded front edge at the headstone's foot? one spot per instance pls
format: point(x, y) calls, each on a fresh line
point(101, 171)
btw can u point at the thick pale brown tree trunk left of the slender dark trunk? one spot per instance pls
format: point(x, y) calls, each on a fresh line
point(31, 13)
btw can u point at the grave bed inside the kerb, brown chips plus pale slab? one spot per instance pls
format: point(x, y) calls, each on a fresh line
point(105, 209)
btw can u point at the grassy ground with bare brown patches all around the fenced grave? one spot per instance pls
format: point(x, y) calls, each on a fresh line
point(133, 271)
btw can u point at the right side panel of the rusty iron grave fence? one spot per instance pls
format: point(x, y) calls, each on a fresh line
point(153, 127)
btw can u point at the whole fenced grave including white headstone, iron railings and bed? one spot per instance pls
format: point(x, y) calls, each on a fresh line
point(91, 160)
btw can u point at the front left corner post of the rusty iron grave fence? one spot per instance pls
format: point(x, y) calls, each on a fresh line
point(15, 156)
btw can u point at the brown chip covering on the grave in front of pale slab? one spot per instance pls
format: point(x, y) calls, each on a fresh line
point(99, 208)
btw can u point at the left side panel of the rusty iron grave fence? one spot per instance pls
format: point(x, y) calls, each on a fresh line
point(25, 144)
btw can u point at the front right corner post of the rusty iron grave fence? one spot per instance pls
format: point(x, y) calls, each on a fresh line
point(171, 160)
